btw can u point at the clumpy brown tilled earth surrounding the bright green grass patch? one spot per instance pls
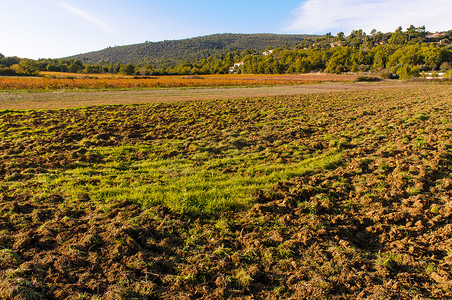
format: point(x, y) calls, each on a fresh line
point(376, 226)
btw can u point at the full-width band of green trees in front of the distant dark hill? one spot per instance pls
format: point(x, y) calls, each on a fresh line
point(399, 54)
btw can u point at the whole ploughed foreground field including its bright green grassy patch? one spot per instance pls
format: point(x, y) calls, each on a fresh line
point(336, 194)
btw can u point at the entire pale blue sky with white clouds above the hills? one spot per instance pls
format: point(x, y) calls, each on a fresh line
point(60, 28)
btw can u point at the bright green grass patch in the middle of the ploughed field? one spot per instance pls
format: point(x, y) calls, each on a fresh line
point(177, 183)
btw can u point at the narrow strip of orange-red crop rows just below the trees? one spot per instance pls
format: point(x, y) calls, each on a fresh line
point(54, 81)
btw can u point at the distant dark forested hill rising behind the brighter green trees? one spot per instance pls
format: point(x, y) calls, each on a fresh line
point(167, 53)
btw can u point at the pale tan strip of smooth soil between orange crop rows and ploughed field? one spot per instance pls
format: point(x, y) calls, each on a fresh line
point(72, 99)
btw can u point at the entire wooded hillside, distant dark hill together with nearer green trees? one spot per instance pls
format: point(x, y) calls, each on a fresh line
point(400, 54)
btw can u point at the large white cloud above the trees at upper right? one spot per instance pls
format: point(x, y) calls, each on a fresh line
point(322, 16)
